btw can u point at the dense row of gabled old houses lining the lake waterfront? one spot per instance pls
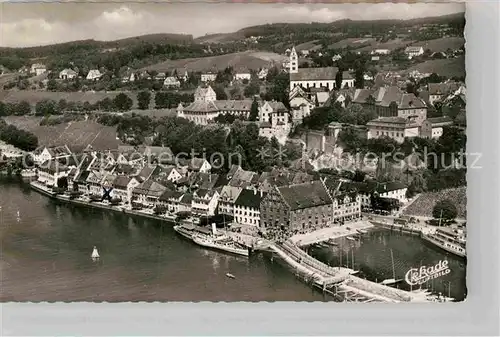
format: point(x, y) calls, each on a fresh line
point(144, 178)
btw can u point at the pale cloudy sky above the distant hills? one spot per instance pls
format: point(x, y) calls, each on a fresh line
point(33, 24)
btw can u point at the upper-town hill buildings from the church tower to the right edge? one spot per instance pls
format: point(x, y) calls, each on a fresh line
point(399, 114)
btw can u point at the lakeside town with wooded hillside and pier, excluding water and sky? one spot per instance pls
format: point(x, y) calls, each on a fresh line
point(317, 144)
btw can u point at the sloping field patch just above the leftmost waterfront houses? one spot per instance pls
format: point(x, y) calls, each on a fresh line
point(79, 133)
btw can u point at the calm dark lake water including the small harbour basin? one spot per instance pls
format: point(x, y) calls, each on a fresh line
point(46, 257)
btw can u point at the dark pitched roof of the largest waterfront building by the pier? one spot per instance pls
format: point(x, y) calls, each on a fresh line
point(306, 195)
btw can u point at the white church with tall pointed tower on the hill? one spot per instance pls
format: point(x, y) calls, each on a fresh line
point(308, 78)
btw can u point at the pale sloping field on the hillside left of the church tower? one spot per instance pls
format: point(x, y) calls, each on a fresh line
point(244, 60)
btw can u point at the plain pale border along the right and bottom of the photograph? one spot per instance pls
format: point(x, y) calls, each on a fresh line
point(478, 315)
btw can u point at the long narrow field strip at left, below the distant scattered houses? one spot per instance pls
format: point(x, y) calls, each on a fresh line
point(32, 97)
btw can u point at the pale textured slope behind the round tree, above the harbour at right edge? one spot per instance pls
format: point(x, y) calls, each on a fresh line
point(424, 204)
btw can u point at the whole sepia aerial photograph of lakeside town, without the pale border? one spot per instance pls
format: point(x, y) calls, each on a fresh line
point(232, 152)
